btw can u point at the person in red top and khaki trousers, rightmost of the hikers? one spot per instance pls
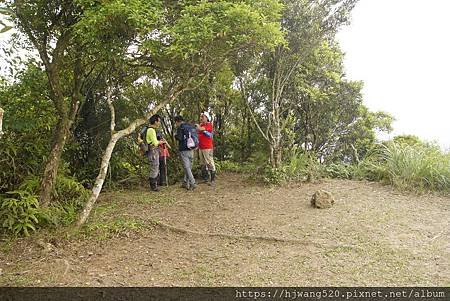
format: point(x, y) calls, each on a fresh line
point(206, 147)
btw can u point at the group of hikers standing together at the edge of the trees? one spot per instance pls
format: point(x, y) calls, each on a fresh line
point(190, 138)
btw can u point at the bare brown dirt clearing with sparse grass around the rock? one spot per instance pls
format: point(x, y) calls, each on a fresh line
point(243, 234)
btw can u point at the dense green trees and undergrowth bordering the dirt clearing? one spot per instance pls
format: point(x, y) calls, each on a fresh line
point(270, 72)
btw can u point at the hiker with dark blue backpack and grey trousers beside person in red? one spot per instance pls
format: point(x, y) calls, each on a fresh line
point(187, 142)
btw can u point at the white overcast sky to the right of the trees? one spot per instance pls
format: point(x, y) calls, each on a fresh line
point(401, 50)
